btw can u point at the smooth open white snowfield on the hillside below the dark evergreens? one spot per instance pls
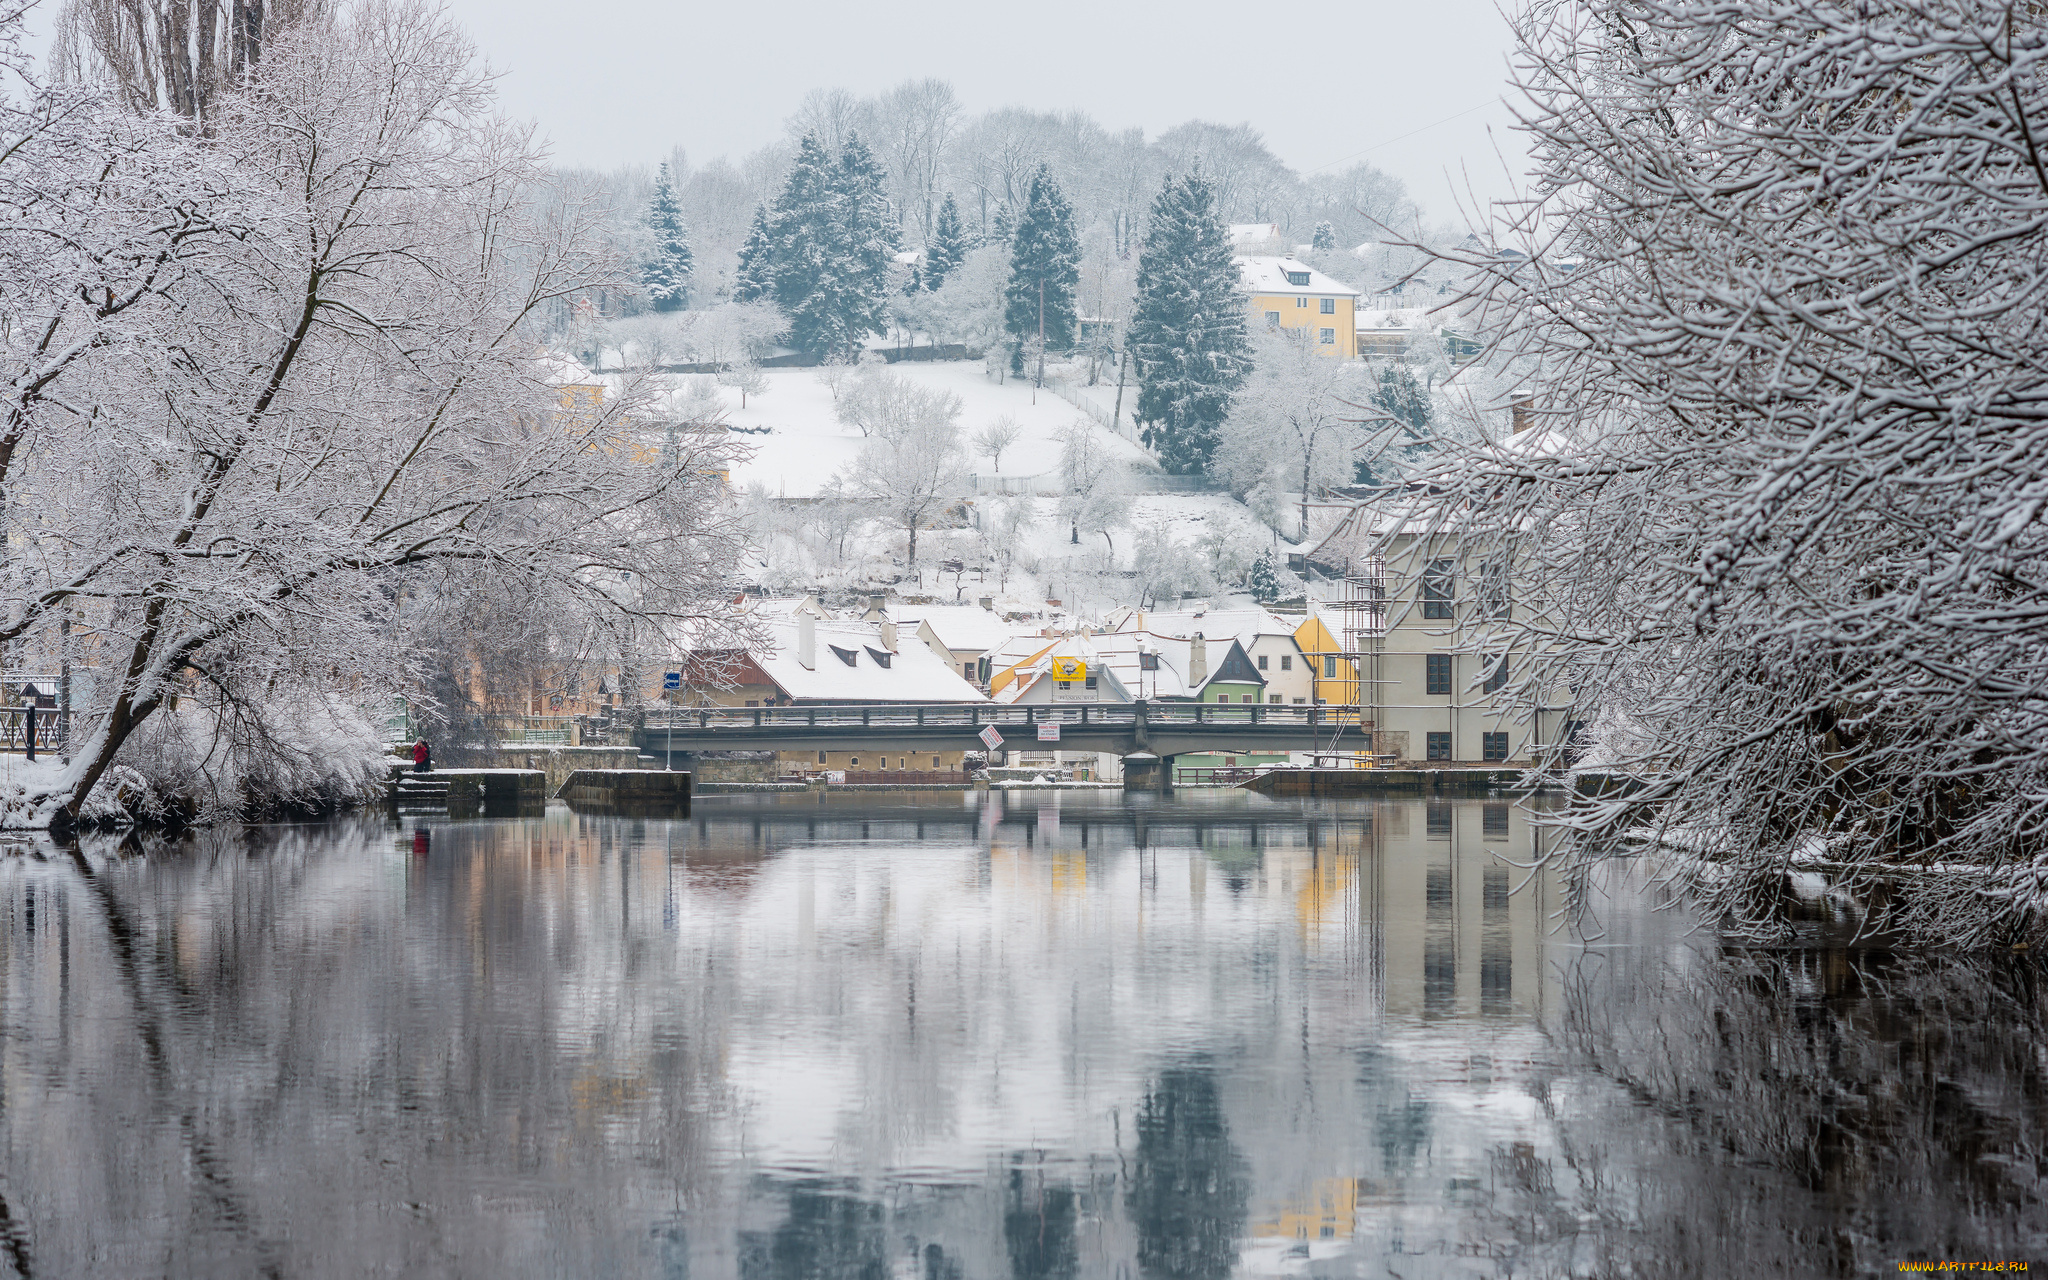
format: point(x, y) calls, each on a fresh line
point(806, 443)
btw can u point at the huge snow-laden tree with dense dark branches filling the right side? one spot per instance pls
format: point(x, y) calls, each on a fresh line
point(1779, 523)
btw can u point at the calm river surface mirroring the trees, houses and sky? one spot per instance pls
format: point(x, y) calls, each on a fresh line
point(947, 1039)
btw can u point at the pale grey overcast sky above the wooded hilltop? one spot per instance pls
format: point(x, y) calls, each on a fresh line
point(624, 81)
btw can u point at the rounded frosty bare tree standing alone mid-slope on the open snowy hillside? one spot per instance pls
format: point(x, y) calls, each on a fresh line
point(912, 466)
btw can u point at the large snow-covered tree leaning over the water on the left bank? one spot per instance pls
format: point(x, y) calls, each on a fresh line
point(275, 402)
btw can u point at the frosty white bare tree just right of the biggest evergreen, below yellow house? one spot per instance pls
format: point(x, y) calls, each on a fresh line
point(1293, 423)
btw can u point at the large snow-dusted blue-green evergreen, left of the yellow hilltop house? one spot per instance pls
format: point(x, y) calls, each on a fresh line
point(1189, 327)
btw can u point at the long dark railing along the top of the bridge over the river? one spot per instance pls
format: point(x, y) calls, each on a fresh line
point(699, 720)
